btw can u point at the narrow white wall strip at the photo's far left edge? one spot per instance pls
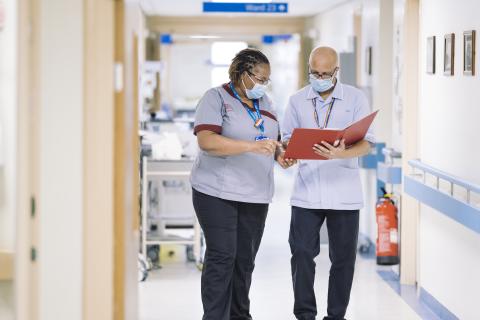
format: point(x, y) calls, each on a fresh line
point(8, 120)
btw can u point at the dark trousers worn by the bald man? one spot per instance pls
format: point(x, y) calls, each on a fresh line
point(304, 242)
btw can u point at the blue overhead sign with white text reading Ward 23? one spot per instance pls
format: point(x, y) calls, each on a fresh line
point(246, 7)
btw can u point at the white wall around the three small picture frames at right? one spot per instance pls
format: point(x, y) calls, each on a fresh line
point(449, 116)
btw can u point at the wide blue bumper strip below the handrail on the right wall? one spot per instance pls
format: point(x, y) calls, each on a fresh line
point(458, 210)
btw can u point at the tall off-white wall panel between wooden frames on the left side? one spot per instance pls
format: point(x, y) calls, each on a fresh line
point(61, 160)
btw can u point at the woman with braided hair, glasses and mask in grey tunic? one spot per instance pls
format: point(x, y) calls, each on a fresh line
point(232, 181)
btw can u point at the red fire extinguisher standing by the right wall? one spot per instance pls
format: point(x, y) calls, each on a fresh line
point(387, 232)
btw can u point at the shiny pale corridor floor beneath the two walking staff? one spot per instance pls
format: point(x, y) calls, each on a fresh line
point(271, 289)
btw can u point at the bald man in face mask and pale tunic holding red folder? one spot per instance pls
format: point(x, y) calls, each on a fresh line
point(328, 190)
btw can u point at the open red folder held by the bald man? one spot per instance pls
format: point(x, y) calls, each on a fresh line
point(302, 140)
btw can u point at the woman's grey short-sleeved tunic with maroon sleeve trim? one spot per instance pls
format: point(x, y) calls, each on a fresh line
point(246, 177)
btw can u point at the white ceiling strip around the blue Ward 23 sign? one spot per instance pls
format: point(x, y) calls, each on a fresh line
point(194, 7)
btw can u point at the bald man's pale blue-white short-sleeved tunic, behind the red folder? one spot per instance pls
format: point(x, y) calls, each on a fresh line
point(327, 184)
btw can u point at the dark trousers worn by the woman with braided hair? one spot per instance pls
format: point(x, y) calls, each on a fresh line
point(233, 231)
